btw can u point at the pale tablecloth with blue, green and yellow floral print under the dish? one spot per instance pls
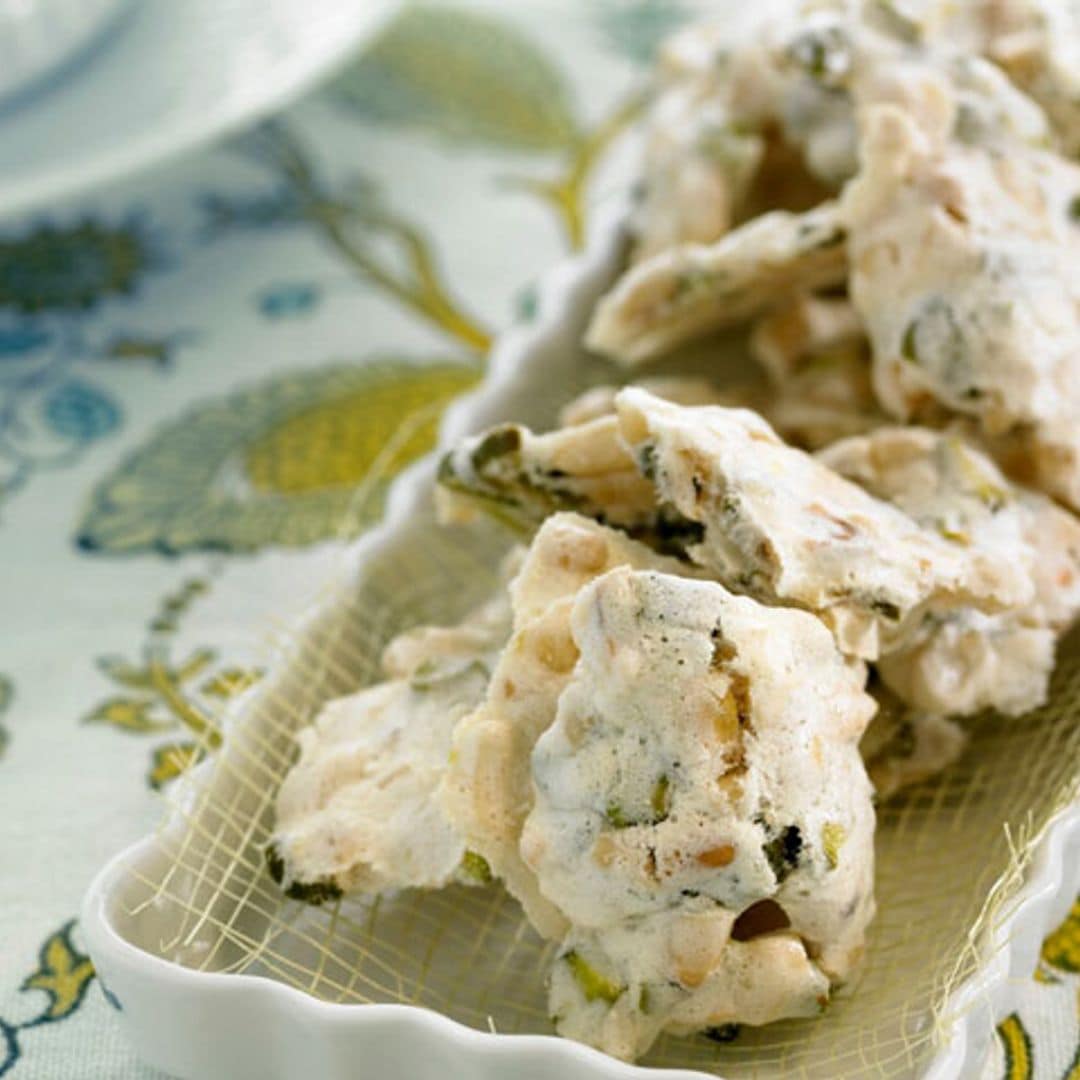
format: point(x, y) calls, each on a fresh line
point(197, 371)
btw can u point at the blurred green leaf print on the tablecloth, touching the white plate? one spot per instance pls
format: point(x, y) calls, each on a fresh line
point(467, 77)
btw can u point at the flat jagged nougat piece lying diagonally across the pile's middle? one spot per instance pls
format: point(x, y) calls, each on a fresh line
point(782, 526)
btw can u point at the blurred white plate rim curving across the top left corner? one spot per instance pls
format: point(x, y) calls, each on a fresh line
point(169, 76)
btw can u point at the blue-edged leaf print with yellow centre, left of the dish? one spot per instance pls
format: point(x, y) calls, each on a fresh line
point(299, 460)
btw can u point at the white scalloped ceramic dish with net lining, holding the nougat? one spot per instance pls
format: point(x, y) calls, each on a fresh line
point(218, 978)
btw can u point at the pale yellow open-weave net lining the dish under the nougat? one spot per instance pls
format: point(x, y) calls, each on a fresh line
point(951, 853)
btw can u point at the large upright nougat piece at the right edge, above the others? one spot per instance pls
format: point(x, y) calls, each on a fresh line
point(964, 272)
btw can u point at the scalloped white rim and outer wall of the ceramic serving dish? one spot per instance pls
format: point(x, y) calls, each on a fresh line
point(148, 941)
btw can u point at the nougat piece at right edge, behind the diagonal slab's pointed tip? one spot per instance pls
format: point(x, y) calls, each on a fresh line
point(963, 661)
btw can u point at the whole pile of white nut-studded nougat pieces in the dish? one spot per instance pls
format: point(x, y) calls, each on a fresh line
point(745, 615)
